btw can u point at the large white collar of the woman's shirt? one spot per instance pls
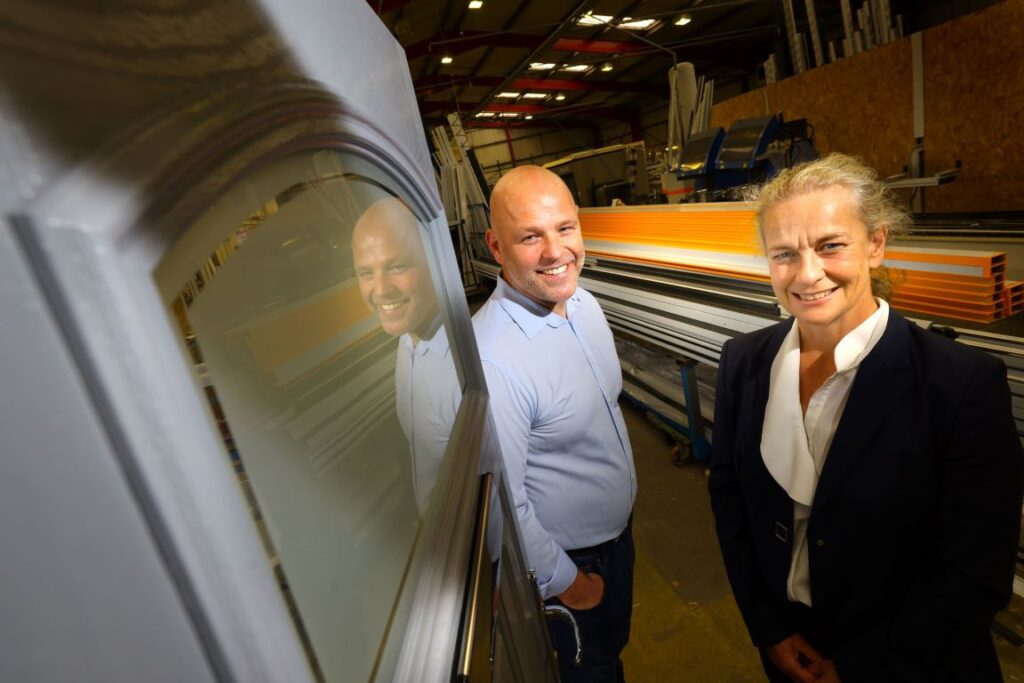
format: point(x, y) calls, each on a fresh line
point(784, 436)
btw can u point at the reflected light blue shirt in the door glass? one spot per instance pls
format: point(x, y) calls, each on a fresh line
point(428, 398)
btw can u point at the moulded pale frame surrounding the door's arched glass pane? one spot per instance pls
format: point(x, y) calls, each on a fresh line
point(95, 241)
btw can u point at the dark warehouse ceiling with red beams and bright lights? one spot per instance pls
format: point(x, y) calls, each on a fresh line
point(507, 63)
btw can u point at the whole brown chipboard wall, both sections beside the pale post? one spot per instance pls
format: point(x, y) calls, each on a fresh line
point(974, 101)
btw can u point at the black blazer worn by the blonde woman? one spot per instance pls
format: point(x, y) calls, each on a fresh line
point(915, 526)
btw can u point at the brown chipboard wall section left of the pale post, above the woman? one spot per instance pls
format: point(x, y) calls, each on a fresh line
point(861, 106)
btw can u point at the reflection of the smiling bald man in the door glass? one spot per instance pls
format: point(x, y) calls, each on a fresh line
point(395, 282)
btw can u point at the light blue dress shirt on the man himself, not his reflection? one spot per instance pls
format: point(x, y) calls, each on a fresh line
point(554, 386)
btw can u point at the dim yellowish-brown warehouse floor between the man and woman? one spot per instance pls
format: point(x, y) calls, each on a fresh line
point(687, 626)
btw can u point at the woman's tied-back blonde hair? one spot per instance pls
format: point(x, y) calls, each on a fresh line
point(877, 207)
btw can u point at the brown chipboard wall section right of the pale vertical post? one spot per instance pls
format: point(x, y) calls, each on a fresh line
point(974, 106)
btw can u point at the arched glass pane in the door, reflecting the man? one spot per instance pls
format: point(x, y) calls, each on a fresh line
point(311, 310)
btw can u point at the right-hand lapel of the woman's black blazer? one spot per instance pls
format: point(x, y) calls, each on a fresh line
point(883, 379)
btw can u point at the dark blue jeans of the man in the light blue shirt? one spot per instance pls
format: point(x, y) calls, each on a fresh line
point(606, 629)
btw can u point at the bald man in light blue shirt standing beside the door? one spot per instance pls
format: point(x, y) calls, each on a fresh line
point(554, 381)
